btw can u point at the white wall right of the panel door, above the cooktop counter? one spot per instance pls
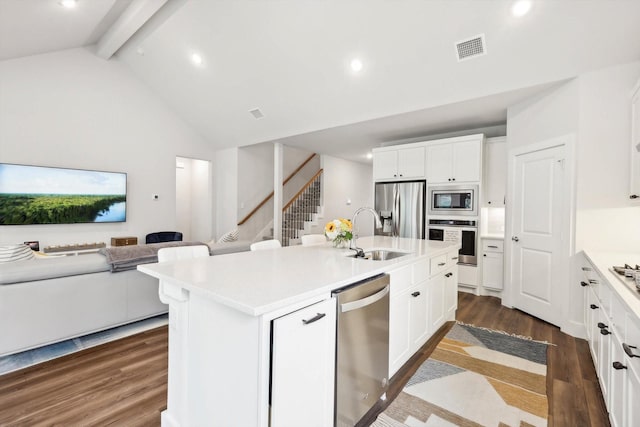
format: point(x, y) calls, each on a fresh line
point(606, 219)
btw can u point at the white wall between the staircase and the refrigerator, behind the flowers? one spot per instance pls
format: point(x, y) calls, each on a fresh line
point(345, 181)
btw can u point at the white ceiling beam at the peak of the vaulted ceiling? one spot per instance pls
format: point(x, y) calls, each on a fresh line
point(131, 20)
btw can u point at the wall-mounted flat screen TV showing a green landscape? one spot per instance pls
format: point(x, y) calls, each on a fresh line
point(47, 195)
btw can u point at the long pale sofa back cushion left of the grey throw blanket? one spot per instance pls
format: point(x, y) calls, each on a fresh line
point(51, 267)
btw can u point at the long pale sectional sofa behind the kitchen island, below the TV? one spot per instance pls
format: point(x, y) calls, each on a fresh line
point(47, 300)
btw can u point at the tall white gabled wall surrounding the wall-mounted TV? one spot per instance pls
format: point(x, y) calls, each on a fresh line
point(73, 109)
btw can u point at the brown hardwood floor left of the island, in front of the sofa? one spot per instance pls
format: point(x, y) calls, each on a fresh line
point(122, 383)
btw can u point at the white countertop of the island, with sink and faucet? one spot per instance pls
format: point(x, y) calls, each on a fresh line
point(263, 281)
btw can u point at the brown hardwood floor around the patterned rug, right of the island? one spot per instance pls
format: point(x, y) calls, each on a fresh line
point(574, 394)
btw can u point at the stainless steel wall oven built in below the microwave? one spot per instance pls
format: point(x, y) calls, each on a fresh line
point(461, 231)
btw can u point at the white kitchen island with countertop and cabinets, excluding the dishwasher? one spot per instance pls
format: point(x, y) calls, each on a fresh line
point(225, 363)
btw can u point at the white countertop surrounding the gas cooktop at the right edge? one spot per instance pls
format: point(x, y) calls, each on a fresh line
point(603, 261)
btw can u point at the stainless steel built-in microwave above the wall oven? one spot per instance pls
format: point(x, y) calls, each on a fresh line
point(453, 200)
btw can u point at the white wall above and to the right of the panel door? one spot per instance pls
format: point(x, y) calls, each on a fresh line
point(595, 107)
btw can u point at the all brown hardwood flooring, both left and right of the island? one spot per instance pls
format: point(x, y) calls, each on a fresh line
point(124, 383)
